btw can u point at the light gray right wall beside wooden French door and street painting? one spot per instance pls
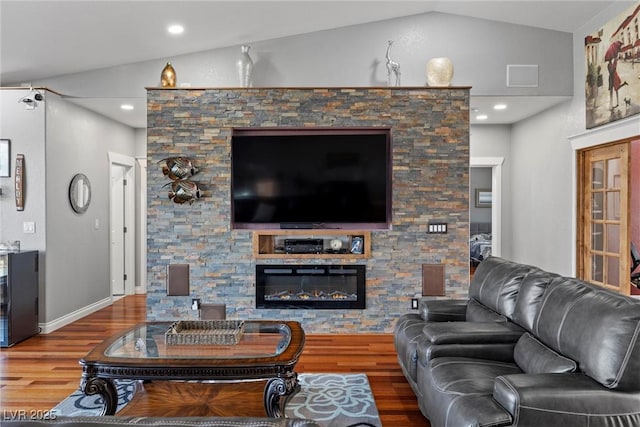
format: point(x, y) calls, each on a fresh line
point(543, 174)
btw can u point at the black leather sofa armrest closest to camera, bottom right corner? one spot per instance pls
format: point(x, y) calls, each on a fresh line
point(564, 399)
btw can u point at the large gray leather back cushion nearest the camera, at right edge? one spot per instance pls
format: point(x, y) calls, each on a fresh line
point(597, 328)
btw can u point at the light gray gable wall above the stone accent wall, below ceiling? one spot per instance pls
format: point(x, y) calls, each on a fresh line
point(355, 56)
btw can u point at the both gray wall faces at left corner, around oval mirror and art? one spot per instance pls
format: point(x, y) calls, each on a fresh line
point(60, 139)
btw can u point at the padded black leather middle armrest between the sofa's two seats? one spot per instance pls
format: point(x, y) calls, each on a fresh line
point(472, 332)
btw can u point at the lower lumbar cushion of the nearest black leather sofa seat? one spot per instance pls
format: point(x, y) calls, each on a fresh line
point(533, 357)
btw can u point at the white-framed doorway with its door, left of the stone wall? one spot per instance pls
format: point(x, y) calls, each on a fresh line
point(121, 224)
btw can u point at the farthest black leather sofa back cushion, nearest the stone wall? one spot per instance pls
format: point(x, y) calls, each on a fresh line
point(495, 284)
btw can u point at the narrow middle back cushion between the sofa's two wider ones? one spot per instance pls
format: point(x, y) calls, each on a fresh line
point(529, 298)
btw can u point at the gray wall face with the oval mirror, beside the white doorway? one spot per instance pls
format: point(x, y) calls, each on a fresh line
point(77, 141)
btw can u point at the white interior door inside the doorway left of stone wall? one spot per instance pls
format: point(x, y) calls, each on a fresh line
point(117, 231)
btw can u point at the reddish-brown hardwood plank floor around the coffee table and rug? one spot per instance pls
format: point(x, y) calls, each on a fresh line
point(38, 373)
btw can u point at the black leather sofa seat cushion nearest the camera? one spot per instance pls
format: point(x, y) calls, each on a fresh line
point(458, 391)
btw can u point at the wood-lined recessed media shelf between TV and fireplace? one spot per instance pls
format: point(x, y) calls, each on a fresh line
point(315, 244)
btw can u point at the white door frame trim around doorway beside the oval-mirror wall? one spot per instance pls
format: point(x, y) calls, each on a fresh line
point(116, 159)
